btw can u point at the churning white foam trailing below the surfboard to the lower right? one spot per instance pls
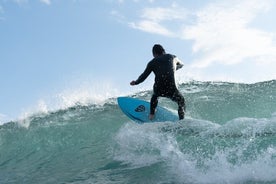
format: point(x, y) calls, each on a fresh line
point(146, 145)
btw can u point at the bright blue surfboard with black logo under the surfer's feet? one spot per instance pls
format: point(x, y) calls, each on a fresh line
point(139, 110)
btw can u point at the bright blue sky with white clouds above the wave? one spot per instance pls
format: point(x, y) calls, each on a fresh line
point(74, 50)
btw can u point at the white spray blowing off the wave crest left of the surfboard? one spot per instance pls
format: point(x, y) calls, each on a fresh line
point(84, 94)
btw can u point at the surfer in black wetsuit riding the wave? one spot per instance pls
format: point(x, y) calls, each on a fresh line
point(163, 66)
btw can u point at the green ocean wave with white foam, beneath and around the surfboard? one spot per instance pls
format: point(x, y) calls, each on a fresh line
point(228, 136)
